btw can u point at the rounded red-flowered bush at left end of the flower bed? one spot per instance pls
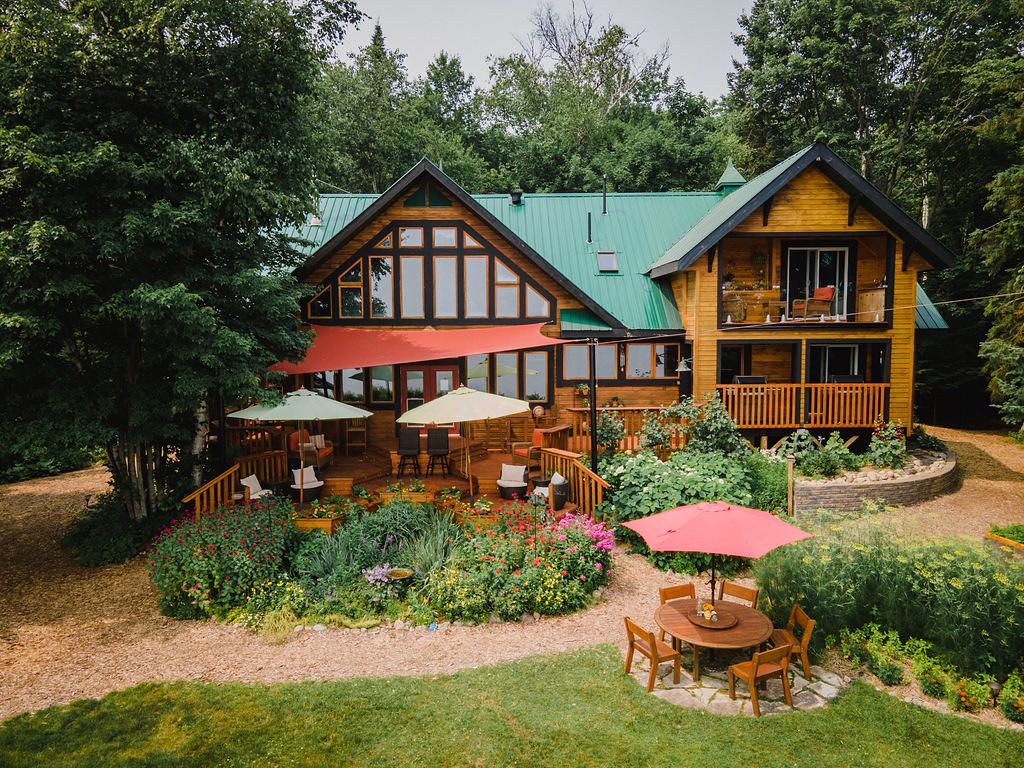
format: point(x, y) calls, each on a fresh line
point(209, 567)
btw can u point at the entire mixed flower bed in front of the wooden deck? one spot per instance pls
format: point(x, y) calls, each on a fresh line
point(400, 561)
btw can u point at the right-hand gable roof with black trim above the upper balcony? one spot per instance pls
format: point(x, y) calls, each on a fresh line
point(735, 208)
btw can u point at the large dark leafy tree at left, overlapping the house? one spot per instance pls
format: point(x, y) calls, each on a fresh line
point(152, 153)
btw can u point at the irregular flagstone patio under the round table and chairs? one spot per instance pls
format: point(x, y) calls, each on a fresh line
point(712, 694)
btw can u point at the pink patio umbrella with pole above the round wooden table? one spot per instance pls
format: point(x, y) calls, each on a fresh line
point(717, 529)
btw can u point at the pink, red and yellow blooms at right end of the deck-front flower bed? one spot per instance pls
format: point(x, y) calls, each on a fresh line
point(525, 563)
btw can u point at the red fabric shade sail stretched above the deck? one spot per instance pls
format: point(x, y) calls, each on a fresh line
point(338, 347)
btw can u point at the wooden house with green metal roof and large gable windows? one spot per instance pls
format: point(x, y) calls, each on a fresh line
point(718, 281)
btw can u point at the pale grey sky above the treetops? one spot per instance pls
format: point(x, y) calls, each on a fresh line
point(699, 32)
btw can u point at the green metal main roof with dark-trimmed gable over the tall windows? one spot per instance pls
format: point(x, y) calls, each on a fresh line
point(552, 231)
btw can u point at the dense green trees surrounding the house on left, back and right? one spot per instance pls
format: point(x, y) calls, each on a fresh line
point(151, 151)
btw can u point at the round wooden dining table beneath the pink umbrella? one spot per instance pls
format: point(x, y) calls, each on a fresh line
point(752, 628)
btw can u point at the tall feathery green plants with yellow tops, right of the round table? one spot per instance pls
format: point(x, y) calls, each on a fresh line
point(966, 601)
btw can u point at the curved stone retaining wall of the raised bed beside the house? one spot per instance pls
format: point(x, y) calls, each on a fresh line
point(847, 497)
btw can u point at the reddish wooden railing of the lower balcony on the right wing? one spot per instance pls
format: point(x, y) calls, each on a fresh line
point(793, 406)
